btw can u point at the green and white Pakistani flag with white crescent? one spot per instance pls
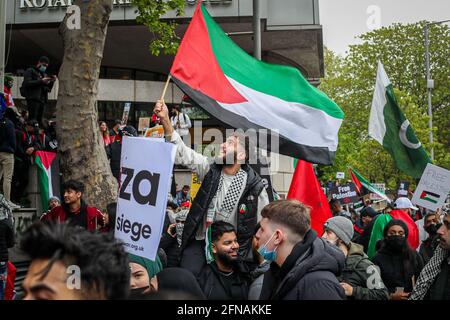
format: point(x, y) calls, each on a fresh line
point(388, 125)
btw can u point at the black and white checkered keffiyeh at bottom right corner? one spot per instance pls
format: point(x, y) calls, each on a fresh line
point(429, 273)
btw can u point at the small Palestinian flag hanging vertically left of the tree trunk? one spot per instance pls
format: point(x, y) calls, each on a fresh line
point(48, 176)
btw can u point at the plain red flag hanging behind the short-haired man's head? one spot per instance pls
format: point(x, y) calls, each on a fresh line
point(306, 188)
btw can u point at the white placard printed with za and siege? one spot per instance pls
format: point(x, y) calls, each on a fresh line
point(146, 171)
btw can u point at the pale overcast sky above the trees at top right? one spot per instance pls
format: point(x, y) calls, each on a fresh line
point(342, 20)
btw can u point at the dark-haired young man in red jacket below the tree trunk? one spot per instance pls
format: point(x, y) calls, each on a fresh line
point(75, 210)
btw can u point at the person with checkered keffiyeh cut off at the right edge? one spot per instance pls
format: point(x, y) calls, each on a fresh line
point(434, 280)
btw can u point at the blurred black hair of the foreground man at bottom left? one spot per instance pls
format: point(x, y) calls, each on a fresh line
point(101, 259)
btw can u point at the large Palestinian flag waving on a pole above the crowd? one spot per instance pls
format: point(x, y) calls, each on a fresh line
point(246, 93)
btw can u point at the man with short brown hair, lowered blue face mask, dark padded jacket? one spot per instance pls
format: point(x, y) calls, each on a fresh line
point(304, 266)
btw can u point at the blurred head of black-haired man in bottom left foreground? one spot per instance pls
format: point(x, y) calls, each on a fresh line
point(69, 263)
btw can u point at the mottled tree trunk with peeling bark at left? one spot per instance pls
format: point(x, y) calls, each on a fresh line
point(83, 155)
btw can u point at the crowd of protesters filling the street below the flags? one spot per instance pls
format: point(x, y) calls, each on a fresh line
point(257, 249)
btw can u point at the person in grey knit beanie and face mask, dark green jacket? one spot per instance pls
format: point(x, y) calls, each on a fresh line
point(360, 278)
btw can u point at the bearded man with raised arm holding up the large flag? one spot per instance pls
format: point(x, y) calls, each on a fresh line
point(231, 191)
